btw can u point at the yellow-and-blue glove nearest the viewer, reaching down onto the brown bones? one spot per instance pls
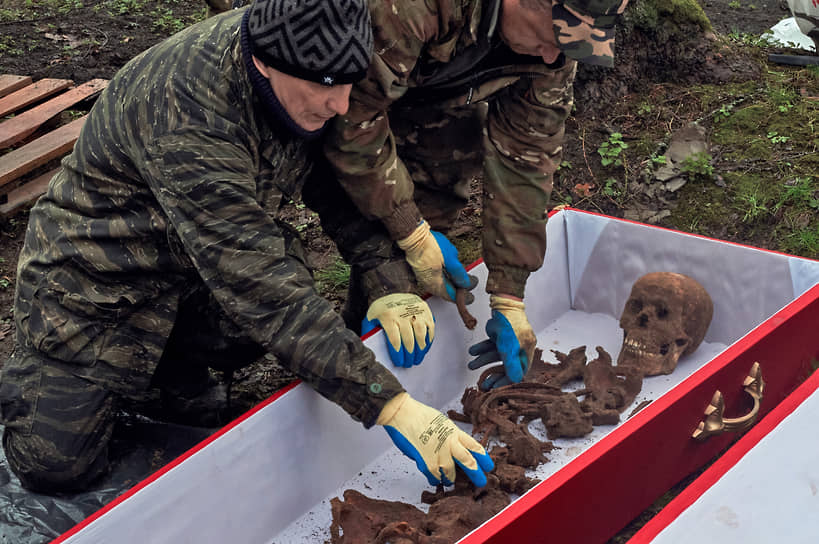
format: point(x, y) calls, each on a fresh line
point(433, 441)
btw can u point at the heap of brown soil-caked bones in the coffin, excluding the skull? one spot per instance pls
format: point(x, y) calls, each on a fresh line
point(503, 414)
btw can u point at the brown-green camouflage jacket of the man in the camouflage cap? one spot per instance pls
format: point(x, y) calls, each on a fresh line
point(529, 102)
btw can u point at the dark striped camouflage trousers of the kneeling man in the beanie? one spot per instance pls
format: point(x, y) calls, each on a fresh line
point(59, 423)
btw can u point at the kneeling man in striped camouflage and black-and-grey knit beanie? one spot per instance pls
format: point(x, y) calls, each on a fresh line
point(156, 252)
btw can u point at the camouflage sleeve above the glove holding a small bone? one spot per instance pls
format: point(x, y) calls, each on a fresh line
point(360, 145)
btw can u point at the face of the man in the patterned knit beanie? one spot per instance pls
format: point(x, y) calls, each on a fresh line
point(309, 104)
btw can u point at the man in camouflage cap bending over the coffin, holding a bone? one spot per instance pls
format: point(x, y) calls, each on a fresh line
point(454, 82)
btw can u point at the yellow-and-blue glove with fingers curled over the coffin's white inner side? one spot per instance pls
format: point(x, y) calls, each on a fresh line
point(408, 324)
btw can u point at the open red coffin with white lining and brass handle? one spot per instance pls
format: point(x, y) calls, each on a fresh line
point(268, 477)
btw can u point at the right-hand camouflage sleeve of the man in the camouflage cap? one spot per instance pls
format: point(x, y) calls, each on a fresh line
point(523, 144)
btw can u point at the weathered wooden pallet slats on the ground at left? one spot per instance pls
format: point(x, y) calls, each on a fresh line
point(26, 108)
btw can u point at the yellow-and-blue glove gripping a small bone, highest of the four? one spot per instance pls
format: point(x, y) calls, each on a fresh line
point(434, 260)
